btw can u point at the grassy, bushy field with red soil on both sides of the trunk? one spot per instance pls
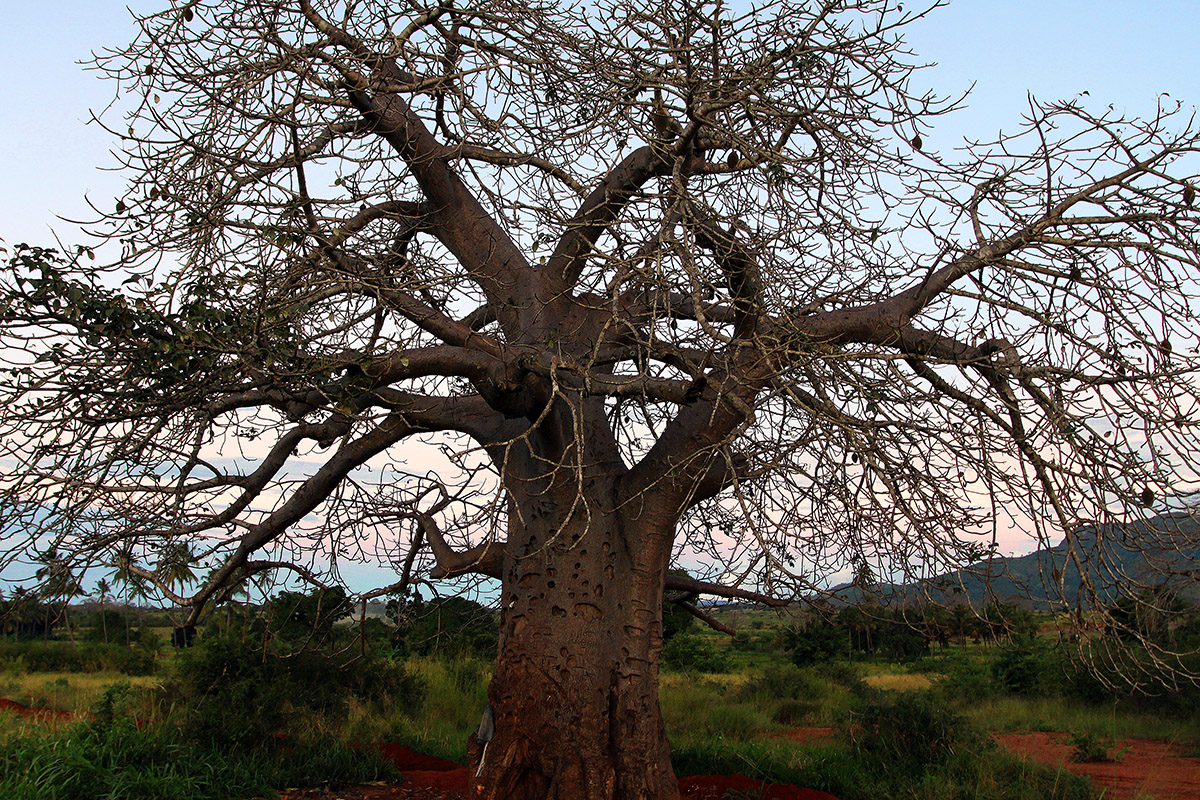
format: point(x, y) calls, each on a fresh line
point(232, 718)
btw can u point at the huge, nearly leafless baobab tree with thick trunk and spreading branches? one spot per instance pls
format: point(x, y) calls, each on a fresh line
point(559, 296)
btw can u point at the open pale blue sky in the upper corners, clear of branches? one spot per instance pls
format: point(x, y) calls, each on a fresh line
point(1123, 53)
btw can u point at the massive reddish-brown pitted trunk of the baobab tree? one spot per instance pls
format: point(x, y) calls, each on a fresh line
point(575, 691)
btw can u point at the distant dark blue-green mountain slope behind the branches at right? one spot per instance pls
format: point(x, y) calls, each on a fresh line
point(1114, 557)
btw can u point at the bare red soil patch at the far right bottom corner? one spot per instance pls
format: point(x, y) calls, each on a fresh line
point(1143, 767)
